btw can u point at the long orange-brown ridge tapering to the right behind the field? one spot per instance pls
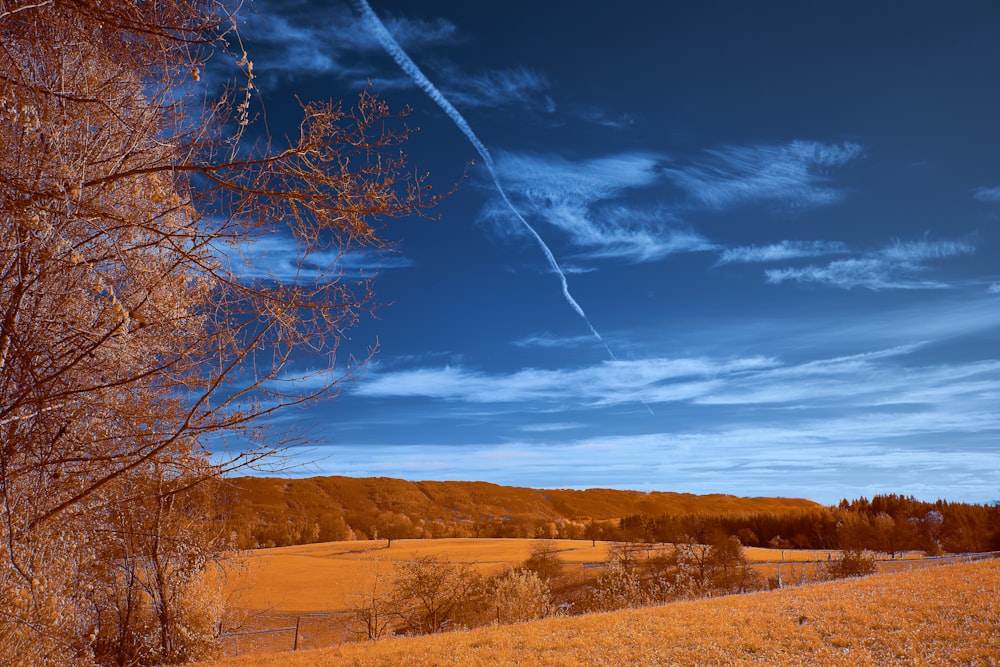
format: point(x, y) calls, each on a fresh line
point(274, 511)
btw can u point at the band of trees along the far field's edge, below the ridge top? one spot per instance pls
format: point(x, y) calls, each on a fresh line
point(888, 523)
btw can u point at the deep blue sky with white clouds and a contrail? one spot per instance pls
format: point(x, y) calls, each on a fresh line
point(708, 247)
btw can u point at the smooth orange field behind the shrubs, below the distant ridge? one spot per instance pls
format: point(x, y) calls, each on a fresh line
point(314, 586)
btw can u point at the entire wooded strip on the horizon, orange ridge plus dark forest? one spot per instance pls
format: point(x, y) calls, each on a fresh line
point(269, 512)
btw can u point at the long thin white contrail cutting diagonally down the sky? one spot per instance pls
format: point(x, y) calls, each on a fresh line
point(390, 44)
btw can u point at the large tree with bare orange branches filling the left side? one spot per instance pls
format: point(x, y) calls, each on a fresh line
point(136, 327)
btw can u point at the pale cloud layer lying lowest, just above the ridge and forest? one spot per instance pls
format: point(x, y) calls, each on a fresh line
point(824, 458)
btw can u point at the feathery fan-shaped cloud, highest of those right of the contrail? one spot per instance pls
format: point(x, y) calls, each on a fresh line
point(792, 174)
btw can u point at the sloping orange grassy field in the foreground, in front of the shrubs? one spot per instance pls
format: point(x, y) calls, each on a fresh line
point(947, 615)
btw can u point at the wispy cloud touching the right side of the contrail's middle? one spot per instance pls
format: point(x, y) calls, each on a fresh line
point(588, 201)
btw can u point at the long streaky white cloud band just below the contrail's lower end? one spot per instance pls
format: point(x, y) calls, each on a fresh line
point(861, 382)
